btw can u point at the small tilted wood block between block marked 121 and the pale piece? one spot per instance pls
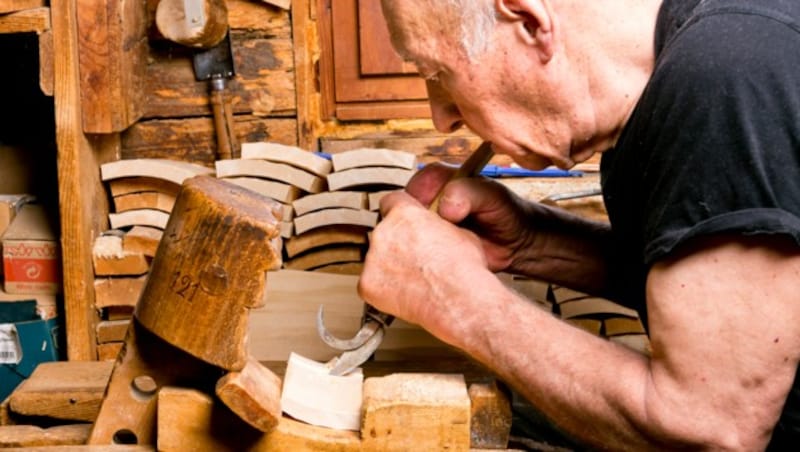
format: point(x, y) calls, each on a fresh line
point(254, 394)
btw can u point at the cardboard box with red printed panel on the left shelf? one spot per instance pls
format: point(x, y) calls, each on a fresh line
point(31, 255)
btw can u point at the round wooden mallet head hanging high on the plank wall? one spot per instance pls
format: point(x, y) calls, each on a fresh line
point(201, 28)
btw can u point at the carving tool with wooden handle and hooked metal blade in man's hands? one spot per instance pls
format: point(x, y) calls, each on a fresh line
point(361, 346)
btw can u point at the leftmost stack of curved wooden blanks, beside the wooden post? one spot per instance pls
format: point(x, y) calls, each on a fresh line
point(143, 192)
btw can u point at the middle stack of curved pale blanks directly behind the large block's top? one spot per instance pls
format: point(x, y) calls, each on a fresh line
point(280, 172)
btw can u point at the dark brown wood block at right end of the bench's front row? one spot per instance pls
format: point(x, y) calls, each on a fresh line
point(490, 418)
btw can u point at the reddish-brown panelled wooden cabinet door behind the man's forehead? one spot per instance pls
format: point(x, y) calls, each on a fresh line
point(362, 75)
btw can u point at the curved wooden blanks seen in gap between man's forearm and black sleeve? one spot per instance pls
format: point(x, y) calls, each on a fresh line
point(602, 317)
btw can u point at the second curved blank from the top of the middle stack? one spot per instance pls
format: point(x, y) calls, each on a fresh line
point(268, 170)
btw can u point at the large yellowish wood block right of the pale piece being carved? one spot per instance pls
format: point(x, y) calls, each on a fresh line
point(415, 411)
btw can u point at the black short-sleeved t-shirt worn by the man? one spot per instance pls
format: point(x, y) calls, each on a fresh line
point(713, 146)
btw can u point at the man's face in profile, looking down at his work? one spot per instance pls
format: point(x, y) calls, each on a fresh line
point(528, 110)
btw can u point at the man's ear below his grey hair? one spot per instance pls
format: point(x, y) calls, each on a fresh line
point(534, 22)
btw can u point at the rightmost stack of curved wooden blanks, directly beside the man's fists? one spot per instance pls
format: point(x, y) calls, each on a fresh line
point(331, 228)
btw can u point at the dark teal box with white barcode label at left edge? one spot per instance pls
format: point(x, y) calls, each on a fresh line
point(25, 341)
